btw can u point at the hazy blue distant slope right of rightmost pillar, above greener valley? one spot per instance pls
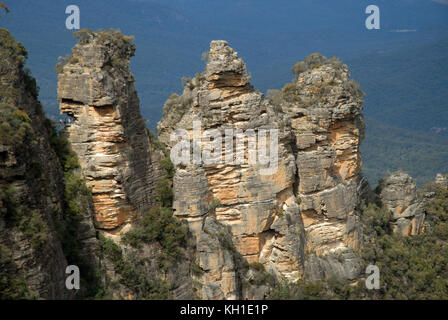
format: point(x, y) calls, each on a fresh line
point(407, 87)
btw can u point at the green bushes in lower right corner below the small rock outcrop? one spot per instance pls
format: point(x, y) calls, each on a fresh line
point(413, 267)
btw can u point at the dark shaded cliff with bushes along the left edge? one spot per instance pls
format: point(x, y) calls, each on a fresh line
point(31, 186)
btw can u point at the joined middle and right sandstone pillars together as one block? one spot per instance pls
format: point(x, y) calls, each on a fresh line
point(314, 190)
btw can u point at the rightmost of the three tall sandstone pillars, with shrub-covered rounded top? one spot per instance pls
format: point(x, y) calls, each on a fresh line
point(324, 106)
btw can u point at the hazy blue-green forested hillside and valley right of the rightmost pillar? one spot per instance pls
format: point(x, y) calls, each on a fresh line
point(406, 110)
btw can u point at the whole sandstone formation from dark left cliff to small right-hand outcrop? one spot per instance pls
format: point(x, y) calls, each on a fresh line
point(270, 188)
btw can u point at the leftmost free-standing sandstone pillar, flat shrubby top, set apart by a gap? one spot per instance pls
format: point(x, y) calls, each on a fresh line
point(106, 130)
